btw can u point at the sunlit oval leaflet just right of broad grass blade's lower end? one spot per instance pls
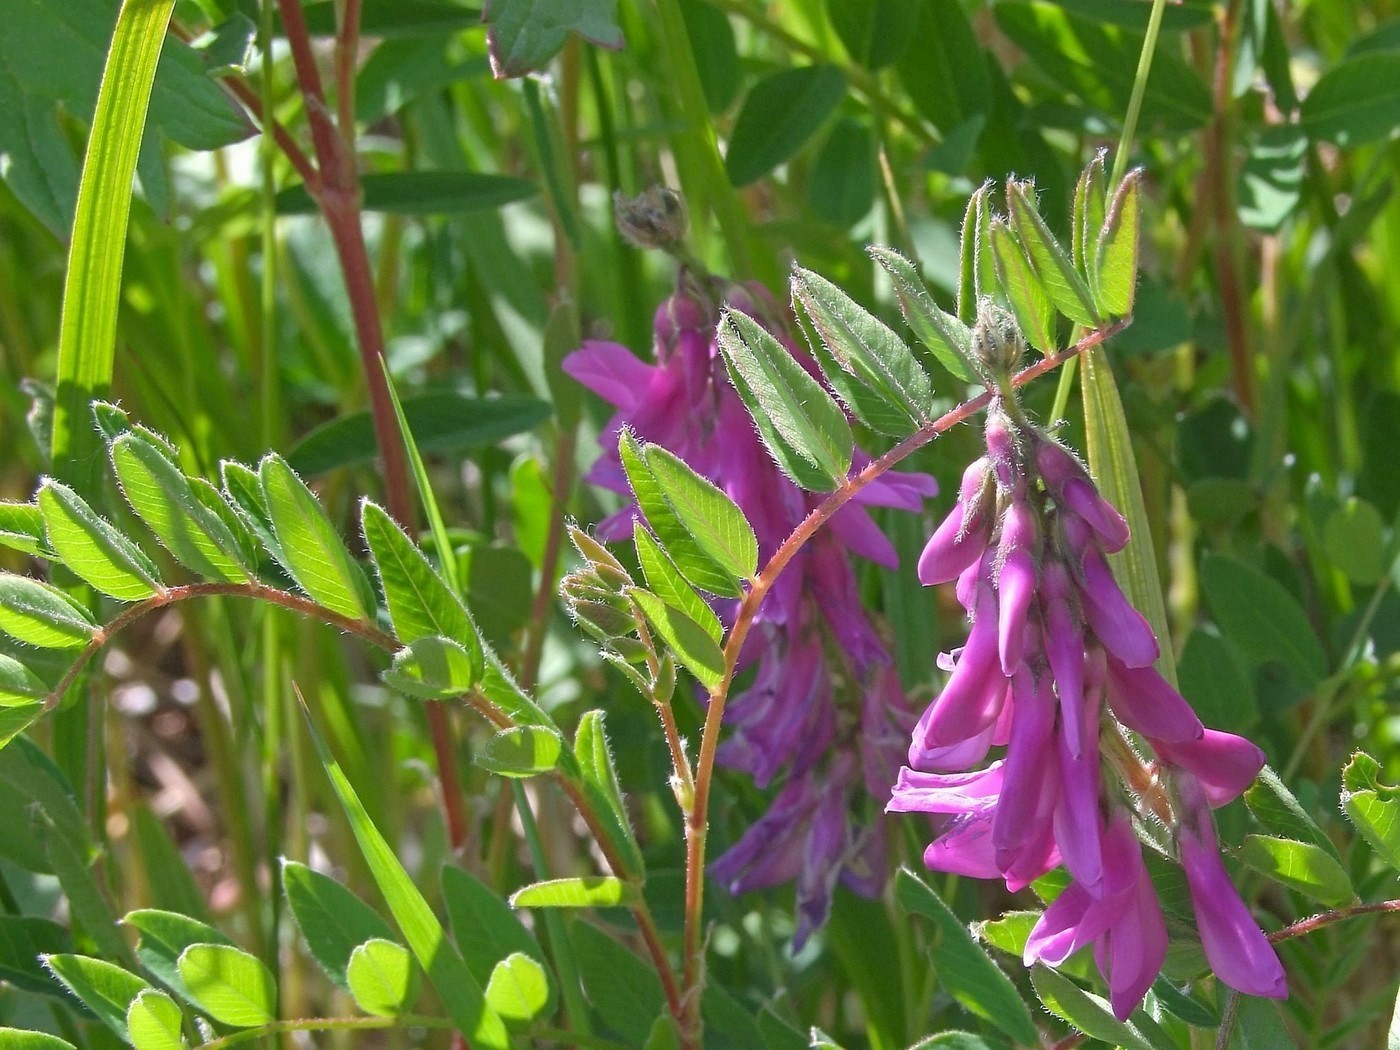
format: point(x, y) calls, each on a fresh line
point(163, 498)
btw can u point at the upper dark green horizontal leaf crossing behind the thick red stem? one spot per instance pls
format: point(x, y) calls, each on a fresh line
point(422, 194)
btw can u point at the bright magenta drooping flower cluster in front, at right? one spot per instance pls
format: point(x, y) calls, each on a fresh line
point(1100, 751)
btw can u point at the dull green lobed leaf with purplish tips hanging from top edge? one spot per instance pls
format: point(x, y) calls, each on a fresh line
point(523, 36)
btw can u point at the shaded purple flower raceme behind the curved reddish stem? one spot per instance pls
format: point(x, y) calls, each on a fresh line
point(824, 712)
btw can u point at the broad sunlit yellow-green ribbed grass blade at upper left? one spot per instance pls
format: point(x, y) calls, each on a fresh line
point(93, 283)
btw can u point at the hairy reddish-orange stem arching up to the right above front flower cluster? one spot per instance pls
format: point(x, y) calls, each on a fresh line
point(698, 822)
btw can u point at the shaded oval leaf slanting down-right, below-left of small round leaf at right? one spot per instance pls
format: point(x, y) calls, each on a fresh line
point(1265, 622)
